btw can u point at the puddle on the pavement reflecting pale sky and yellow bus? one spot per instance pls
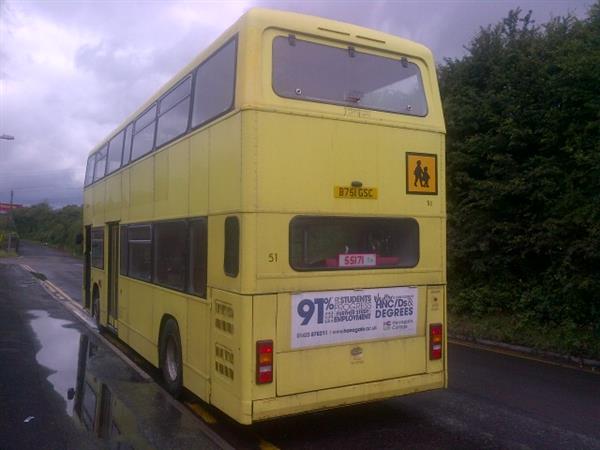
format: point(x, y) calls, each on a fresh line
point(106, 397)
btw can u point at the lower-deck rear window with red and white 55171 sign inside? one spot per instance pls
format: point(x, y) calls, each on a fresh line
point(342, 243)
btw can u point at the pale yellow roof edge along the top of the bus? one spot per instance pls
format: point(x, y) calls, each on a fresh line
point(260, 19)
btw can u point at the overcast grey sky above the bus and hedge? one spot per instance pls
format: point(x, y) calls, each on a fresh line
point(71, 71)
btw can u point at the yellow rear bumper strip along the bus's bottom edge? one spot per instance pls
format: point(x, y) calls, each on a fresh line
point(347, 395)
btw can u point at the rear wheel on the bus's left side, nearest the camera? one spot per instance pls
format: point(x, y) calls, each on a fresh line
point(171, 362)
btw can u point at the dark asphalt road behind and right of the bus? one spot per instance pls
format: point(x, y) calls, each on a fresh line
point(493, 401)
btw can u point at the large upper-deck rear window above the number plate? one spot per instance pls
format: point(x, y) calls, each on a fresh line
point(308, 71)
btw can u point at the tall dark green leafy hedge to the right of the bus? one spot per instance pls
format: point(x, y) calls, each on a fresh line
point(523, 160)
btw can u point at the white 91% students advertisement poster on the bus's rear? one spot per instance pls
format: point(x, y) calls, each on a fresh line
point(332, 317)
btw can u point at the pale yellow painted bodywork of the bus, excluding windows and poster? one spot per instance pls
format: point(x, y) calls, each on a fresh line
point(266, 161)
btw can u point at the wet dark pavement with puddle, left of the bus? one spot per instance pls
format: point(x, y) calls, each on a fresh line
point(61, 387)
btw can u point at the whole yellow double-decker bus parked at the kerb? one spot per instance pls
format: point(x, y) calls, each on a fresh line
point(269, 228)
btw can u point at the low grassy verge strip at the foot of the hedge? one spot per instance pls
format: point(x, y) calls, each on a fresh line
point(565, 339)
